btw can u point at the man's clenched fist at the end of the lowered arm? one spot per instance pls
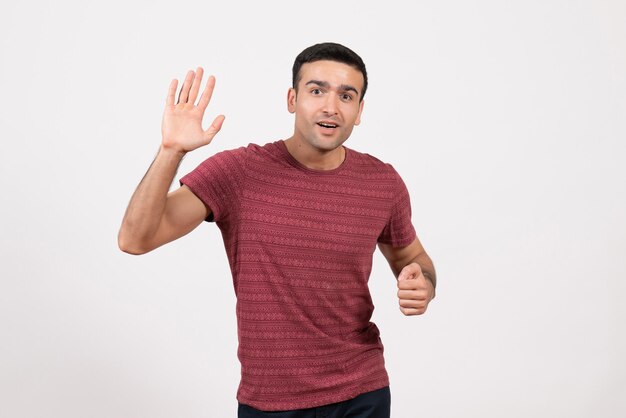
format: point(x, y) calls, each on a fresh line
point(415, 291)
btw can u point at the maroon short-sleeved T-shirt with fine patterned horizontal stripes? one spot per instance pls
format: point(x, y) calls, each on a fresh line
point(300, 245)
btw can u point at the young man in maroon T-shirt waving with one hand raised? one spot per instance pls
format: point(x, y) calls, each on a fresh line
point(300, 219)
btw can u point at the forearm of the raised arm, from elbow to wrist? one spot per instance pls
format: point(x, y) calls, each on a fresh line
point(147, 205)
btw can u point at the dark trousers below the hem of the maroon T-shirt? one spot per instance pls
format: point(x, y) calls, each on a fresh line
point(375, 404)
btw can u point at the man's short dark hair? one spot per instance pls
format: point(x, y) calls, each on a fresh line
point(332, 52)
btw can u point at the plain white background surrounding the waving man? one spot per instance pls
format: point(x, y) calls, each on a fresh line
point(505, 118)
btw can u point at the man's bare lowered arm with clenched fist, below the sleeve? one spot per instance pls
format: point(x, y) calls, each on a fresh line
point(415, 273)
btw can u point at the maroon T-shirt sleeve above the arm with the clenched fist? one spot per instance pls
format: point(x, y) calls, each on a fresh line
point(399, 230)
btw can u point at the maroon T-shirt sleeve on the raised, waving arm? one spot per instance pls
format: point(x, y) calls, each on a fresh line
point(218, 182)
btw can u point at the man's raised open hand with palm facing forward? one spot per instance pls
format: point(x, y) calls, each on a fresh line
point(181, 127)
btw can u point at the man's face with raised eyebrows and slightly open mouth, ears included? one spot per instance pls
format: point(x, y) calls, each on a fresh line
point(327, 104)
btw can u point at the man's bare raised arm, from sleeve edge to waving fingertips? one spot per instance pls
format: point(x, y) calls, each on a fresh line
point(154, 216)
